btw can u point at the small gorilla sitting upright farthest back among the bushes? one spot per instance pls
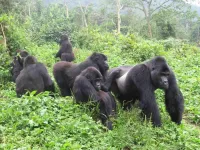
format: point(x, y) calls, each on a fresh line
point(65, 47)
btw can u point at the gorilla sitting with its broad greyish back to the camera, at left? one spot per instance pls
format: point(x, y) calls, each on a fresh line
point(34, 76)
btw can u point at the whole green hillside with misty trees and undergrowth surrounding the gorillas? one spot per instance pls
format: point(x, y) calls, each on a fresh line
point(127, 35)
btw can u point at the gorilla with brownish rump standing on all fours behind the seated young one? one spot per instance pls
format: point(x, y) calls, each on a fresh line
point(66, 72)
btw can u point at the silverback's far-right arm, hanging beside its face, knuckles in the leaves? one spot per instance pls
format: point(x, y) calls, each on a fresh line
point(174, 100)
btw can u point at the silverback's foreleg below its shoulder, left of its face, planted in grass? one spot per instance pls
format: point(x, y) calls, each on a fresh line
point(142, 81)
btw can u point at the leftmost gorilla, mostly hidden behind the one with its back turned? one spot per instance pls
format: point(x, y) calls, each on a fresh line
point(17, 64)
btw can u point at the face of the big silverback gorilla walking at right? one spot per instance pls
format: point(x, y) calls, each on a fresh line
point(159, 76)
